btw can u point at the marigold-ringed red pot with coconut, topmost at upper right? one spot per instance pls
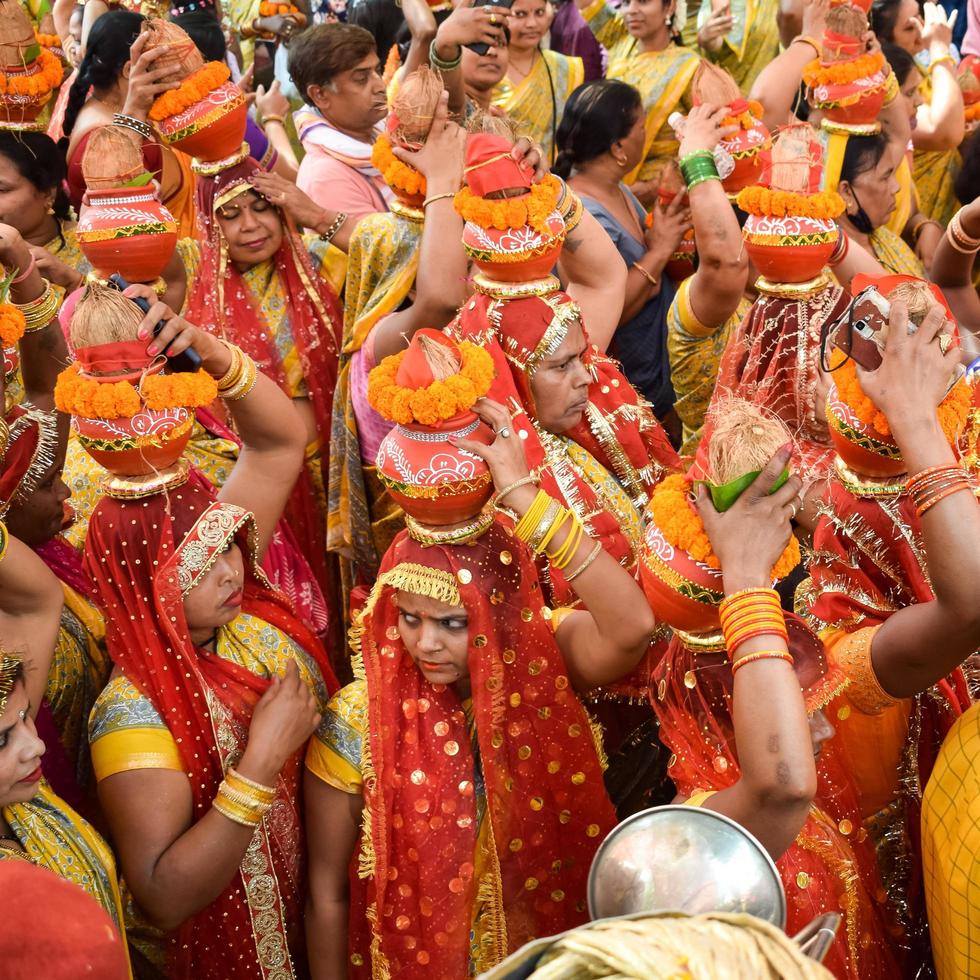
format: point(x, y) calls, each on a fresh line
point(848, 83)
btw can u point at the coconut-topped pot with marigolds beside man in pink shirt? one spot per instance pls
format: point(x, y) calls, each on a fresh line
point(407, 126)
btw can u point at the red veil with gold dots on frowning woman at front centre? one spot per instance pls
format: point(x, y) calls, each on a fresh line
point(429, 862)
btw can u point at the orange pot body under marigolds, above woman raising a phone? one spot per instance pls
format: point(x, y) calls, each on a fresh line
point(139, 445)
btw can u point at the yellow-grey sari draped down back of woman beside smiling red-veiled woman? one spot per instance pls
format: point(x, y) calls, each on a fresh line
point(382, 261)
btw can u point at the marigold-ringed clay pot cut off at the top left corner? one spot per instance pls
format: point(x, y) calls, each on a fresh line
point(29, 72)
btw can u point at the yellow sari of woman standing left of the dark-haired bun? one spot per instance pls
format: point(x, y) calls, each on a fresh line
point(535, 105)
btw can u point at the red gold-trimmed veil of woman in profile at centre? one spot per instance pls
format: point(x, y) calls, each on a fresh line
point(618, 428)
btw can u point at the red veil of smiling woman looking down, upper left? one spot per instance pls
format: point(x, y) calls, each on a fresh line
point(221, 302)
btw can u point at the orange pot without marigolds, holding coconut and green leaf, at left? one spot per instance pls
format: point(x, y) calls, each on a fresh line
point(126, 230)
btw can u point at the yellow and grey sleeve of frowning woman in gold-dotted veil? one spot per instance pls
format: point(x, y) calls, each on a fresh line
point(335, 752)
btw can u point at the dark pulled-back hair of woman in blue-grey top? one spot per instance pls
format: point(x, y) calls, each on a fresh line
point(597, 115)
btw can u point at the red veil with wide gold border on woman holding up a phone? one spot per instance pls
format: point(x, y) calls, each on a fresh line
point(142, 554)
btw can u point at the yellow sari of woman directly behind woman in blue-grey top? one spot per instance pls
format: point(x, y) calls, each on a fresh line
point(663, 79)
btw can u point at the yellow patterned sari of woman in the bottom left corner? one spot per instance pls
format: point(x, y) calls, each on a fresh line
point(54, 837)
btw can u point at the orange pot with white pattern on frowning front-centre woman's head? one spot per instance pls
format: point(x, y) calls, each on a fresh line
point(431, 479)
